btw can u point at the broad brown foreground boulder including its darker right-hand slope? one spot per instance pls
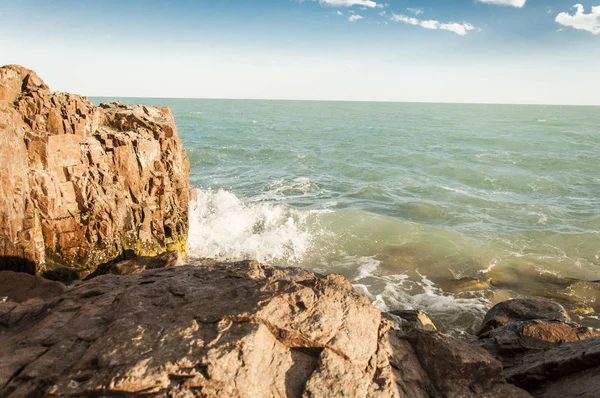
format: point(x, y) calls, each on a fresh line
point(229, 330)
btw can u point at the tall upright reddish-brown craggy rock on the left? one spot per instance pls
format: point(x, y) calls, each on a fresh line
point(81, 184)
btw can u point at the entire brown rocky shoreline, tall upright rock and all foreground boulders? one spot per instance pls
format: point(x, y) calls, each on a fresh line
point(100, 194)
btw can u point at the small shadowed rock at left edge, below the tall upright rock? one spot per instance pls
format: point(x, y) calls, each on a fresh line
point(19, 287)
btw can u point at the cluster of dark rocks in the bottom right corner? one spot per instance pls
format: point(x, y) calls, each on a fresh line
point(541, 349)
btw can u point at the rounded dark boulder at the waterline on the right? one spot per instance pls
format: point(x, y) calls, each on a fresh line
point(522, 310)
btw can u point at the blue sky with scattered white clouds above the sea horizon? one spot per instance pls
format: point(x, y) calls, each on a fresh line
point(473, 51)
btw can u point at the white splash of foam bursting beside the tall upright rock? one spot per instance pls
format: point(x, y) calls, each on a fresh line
point(224, 227)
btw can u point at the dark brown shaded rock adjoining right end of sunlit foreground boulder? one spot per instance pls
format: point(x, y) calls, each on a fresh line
point(431, 364)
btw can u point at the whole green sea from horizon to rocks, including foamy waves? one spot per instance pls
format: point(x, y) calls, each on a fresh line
point(447, 208)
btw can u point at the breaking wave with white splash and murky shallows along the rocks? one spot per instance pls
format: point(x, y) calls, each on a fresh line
point(396, 263)
